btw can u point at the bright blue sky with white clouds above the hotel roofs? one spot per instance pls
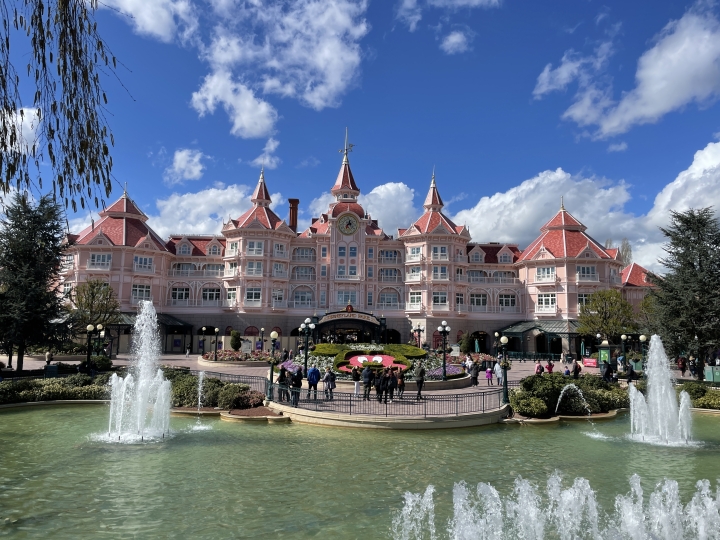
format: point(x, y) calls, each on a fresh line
point(611, 104)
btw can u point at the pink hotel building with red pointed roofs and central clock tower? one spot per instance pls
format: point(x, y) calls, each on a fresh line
point(262, 273)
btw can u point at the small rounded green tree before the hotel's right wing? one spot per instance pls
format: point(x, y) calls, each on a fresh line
point(606, 313)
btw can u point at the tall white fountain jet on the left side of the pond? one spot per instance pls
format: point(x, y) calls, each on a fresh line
point(140, 402)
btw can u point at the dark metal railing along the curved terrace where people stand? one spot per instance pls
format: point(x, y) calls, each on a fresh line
point(430, 405)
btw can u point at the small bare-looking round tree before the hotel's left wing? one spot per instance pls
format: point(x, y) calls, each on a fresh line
point(95, 302)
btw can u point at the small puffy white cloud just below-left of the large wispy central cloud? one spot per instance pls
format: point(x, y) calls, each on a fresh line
point(251, 117)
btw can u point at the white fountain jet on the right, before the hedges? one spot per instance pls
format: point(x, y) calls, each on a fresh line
point(658, 419)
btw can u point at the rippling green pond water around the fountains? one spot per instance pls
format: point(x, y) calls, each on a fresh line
point(295, 481)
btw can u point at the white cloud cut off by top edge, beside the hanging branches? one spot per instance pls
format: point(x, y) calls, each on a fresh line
point(161, 19)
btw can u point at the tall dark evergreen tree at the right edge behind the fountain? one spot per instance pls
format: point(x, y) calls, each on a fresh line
point(687, 296)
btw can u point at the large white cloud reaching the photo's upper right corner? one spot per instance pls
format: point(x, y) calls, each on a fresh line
point(682, 67)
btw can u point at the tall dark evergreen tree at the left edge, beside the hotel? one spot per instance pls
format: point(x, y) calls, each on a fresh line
point(31, 244)
